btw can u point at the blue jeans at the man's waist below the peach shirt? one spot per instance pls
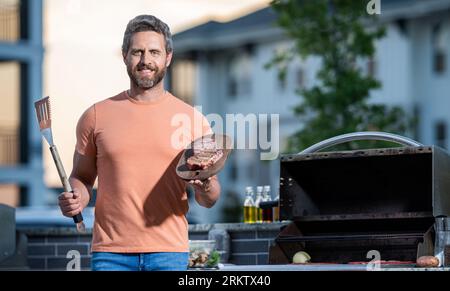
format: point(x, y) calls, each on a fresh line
point(103, 261)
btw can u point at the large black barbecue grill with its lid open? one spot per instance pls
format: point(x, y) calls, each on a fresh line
point(343, 204)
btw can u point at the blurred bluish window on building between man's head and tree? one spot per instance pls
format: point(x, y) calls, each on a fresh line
point(239, 75)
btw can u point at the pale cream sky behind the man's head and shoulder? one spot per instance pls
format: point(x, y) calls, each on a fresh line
point(83, 63)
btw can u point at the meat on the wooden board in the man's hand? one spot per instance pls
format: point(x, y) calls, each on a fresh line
point(205, 154)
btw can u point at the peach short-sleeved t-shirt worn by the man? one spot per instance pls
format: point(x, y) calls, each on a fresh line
point(141, 202)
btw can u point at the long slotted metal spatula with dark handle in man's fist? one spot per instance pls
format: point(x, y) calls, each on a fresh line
point(45, 123)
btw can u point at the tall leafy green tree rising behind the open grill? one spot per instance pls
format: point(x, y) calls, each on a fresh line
point(341, 33)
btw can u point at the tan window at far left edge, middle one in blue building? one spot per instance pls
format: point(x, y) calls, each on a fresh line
point(9, 113)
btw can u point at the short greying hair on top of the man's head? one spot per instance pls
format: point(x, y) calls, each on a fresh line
point(147, 23)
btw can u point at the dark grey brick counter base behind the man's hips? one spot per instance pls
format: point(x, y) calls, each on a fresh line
point(248, 244)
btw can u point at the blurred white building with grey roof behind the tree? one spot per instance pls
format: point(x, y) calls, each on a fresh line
point(220, 66)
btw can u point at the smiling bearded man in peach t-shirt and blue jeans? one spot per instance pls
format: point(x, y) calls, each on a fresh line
point(127, 141)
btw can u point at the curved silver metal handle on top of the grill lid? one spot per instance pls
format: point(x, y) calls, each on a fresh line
point(362, 135)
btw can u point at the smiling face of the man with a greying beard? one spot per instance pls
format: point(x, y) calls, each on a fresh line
point(146, 59)
